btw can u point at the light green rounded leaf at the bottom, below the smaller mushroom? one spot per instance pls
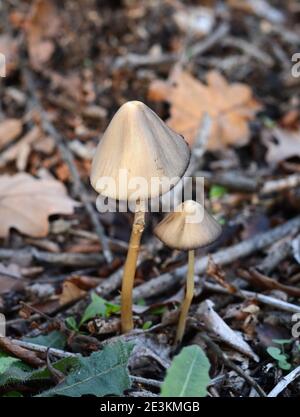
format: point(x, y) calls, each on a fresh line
point(188, 375)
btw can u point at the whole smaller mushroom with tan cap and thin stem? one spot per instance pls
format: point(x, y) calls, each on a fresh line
point(187, 228)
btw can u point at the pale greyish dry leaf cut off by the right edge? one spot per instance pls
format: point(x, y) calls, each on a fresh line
point(285, 145)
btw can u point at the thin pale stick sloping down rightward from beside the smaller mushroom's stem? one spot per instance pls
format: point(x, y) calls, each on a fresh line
point(264, 299)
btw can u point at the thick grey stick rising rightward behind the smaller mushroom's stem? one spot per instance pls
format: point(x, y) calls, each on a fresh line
point(162, 283)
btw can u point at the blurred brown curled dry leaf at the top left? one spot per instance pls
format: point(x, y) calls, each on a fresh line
point(42, 26)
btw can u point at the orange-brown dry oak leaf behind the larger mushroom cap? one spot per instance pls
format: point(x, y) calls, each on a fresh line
point(230, 106)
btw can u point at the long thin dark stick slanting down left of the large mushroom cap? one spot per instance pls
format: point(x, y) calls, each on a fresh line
point(79, 189)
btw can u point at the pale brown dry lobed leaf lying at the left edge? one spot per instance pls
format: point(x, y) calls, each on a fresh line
point(26, 203)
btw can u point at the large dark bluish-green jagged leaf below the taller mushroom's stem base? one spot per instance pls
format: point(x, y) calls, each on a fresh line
point(103, 373)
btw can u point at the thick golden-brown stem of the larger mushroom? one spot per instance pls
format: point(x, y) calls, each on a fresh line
point(129, 270)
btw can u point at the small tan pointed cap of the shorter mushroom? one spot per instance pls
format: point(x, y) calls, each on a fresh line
point(188, 227)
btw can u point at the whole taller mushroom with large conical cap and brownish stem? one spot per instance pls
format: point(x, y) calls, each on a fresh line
point(137, 145)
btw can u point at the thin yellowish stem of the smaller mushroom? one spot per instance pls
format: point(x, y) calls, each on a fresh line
point(188, 296)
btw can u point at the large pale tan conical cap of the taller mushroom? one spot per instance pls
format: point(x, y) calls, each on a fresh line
point(138, 144)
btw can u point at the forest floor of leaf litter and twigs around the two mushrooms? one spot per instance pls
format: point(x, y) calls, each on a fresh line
point(223, 74)
